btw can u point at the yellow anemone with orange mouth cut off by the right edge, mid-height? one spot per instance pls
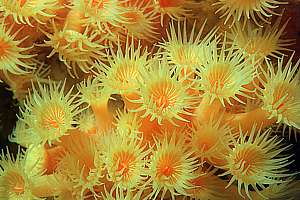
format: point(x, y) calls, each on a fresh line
point(280, 92)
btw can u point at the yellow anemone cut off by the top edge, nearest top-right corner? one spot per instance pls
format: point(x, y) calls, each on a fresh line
point(237, 10)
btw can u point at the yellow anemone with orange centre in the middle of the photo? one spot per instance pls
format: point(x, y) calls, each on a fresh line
point(163, 97)
